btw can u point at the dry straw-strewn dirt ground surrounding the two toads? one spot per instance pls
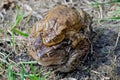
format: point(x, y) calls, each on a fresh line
point(102, 64)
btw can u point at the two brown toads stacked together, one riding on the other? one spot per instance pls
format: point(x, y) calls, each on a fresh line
point(62, 38)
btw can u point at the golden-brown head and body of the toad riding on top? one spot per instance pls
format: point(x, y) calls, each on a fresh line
point(60, 22)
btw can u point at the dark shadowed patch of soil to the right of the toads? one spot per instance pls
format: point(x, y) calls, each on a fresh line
point(103, 63)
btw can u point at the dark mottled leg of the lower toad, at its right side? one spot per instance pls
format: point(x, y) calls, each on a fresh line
point(76, 56)
